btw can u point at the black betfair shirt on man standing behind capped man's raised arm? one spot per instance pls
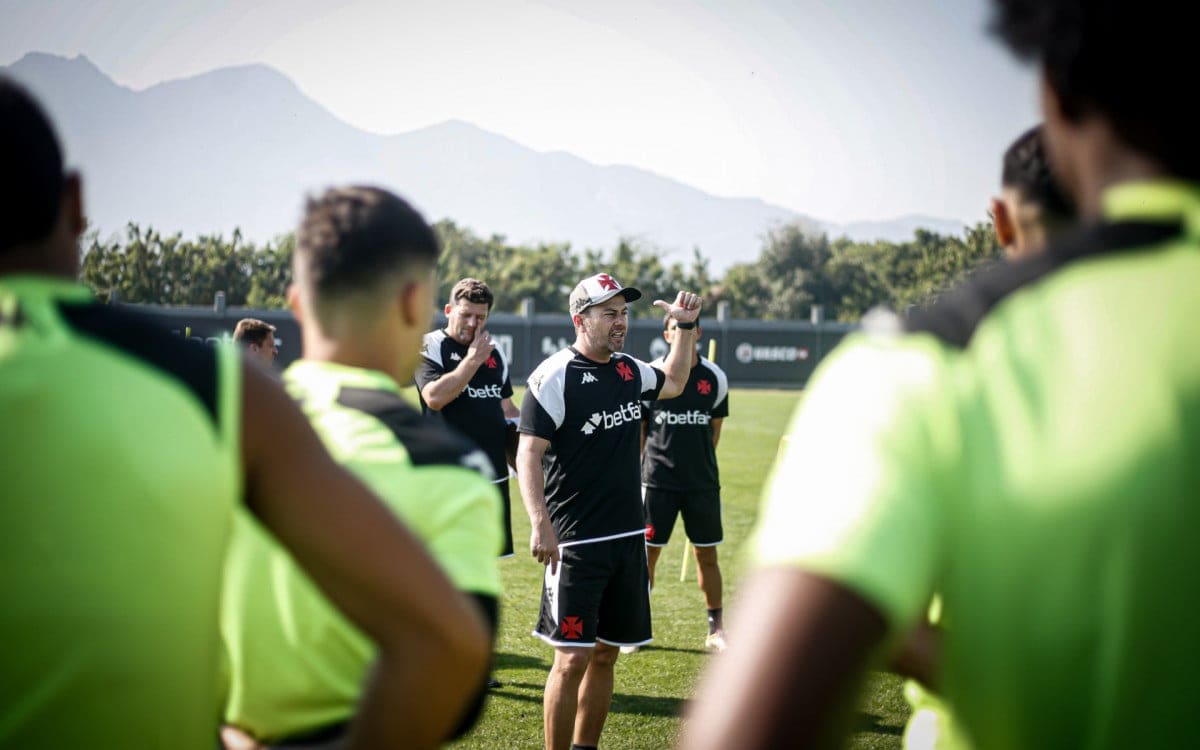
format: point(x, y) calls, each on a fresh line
point(680, 454)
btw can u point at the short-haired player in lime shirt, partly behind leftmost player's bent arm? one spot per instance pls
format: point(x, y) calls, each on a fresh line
point(363, 295)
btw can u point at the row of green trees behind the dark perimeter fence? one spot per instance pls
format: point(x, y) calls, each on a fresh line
point(795, 271)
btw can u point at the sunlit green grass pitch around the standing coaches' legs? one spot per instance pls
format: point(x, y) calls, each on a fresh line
point(652, 687)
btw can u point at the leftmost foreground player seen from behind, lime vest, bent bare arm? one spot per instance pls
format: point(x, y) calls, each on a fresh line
point(124, 453)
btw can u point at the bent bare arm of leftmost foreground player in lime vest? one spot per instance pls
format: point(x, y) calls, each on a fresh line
point(433, 641)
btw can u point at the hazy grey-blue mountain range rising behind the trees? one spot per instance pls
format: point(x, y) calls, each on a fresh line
point(239, 147)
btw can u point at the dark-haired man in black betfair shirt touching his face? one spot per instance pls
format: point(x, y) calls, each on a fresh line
point(465, 377)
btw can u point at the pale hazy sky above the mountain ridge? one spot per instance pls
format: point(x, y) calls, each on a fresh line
point(842, 110)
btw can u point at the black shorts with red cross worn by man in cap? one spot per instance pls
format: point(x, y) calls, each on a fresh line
point(602, 592)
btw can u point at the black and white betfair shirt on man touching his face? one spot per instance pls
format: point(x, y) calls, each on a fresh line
point(477, 412)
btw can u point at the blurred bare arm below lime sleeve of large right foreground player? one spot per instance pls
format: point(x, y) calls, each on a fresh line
point(794, 670)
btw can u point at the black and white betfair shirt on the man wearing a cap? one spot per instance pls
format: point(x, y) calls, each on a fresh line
point(591, 413)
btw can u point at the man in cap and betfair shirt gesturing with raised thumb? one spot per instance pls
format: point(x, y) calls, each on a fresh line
point(583, 415)
